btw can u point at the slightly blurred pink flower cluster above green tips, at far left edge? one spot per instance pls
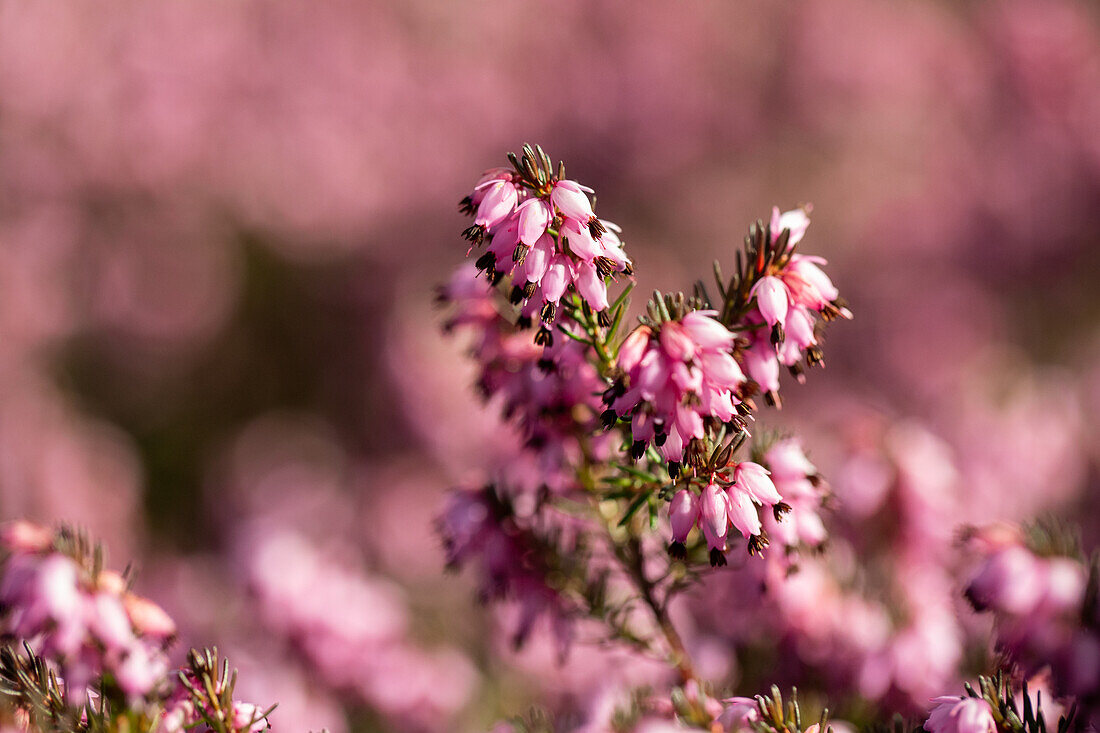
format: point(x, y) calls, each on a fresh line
point(59, 599)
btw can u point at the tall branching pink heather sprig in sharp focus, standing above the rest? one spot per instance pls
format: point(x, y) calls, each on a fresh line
point(677, 398)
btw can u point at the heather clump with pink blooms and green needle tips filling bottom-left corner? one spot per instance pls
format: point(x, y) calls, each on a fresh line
point(83, 653)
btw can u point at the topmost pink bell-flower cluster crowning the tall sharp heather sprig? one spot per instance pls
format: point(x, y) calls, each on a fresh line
point(541, 228)
